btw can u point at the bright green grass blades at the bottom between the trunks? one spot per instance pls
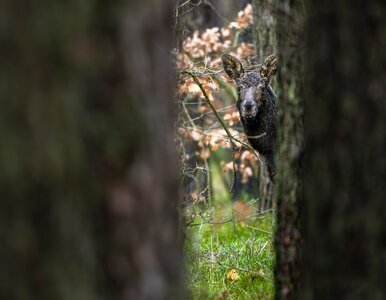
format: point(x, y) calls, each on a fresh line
point(213, 250)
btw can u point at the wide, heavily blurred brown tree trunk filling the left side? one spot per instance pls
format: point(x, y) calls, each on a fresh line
point(87, 163)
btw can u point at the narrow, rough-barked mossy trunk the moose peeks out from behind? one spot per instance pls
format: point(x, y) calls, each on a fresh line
point(289, 147)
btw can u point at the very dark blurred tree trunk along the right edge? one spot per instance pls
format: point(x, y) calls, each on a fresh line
point(344, 212)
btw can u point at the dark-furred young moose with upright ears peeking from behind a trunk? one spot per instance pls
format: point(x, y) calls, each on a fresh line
point(257, 105)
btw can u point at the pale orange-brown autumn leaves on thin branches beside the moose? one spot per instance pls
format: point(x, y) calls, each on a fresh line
point(199, 132)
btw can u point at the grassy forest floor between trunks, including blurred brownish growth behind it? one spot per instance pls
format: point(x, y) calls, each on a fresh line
point(229, 250)
